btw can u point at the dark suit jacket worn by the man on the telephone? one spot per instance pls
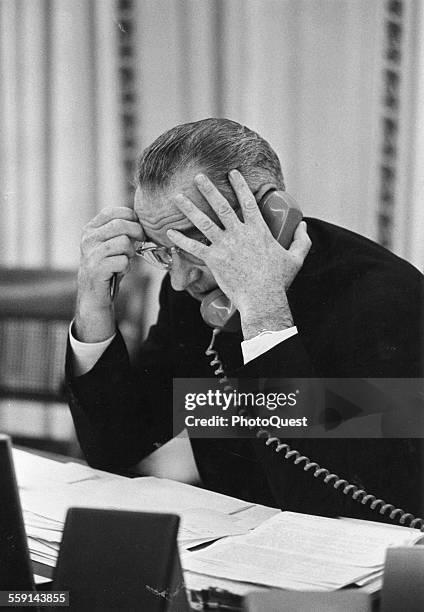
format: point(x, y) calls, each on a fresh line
point(358, 309)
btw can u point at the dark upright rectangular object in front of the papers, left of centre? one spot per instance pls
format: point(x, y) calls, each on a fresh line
point(119, 560)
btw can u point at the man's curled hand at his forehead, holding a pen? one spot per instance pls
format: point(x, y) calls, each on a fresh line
point(107, 247)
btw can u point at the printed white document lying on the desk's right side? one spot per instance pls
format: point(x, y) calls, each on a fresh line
point(299, 551)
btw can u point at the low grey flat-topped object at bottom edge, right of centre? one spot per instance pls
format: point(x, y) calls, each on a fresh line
point(288, 601)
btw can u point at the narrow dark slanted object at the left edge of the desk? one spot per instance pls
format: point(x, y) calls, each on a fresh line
point(15, 566)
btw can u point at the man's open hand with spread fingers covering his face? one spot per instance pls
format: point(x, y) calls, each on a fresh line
point(249, 265)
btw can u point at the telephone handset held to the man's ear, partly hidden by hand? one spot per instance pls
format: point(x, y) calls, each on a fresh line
point(282, 215)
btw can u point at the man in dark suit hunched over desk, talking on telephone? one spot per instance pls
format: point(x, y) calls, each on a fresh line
point(341, 308)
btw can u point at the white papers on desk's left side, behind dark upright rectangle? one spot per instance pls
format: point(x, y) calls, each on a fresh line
point(48, 489)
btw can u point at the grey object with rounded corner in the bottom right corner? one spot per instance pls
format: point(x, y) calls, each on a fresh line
point(403, 586)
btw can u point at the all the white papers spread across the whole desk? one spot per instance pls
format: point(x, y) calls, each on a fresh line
point(285, 549)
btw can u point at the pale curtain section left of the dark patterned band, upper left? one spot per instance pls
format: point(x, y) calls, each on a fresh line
point(59, 120)
